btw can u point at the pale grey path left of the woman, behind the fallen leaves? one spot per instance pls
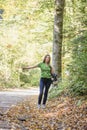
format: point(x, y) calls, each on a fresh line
point(12, 97)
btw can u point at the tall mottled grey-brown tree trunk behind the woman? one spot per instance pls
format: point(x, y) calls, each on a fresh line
point(57, 37)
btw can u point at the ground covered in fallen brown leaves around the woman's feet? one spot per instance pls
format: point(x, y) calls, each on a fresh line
point(61, 113)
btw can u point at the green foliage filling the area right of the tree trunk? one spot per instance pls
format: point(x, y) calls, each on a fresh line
point(75, 46)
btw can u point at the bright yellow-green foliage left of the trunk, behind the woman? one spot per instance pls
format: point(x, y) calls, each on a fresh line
point(25, 36)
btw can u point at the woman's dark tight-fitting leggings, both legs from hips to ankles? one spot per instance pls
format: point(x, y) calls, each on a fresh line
point(44, 84)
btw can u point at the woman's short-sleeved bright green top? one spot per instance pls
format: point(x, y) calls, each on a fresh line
point(45, 70)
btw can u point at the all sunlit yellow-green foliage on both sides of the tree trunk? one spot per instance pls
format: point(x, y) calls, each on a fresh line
point(26, 35)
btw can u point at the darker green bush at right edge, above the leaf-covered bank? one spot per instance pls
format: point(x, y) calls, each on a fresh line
point(78, 66)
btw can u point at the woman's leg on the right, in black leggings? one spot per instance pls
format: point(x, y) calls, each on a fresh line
point(47, 86)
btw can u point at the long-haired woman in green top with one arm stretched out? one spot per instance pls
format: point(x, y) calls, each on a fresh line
point(45, 80)
